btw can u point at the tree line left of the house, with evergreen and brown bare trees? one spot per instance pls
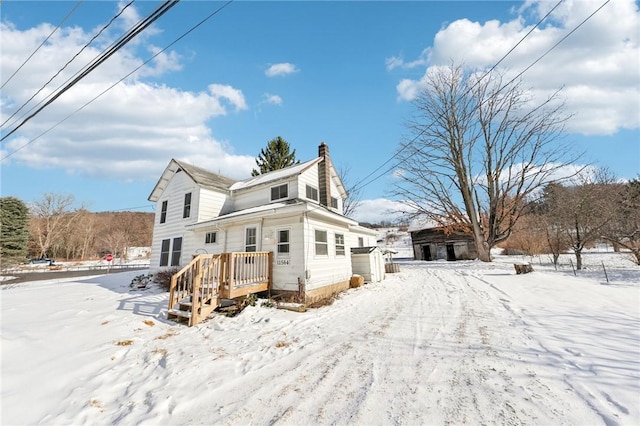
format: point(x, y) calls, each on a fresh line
point(55, 227)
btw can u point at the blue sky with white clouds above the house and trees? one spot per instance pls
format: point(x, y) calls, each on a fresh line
point(339, 72)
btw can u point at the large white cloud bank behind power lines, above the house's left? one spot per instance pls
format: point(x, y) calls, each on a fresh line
point(130, 132)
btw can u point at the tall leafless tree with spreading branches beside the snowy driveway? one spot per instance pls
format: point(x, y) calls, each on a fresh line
point(480, 148)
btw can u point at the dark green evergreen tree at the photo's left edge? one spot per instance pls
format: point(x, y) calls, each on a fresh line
point(14, 233)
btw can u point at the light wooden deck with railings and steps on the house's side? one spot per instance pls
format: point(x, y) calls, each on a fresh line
point(198, 288)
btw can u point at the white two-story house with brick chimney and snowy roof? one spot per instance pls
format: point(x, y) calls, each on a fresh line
point(295, 212)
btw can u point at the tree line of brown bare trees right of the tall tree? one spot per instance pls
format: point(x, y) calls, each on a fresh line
point(577, 216)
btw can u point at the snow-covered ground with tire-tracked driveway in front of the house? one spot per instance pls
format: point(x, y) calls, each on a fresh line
point(437, 343)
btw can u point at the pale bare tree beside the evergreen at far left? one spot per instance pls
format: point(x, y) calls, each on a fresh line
point(50, 219)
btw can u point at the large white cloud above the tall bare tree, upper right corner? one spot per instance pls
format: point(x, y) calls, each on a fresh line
point(597, 65)
